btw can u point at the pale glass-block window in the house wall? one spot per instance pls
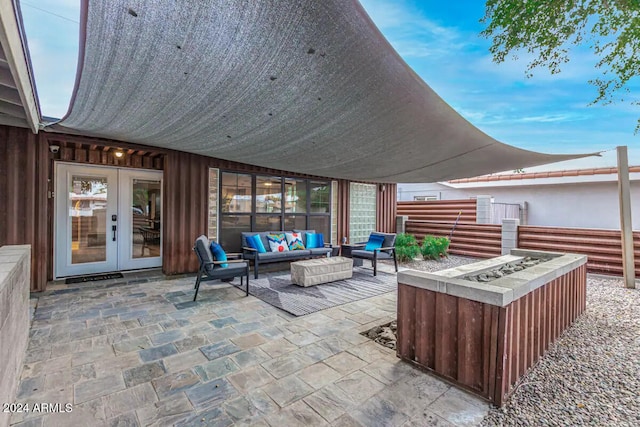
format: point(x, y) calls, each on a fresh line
point(362, 211)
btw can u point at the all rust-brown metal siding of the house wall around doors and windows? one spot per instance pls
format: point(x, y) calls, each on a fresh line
point(26, 177)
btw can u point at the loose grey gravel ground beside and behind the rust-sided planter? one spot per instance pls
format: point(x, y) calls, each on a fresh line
point(590, 375)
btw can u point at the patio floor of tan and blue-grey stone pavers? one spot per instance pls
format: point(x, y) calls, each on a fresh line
point(137, 352)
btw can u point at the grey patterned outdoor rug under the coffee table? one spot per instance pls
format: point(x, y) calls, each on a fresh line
point(277, 290)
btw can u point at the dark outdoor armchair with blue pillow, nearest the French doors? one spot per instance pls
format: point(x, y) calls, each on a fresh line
point(212, 270)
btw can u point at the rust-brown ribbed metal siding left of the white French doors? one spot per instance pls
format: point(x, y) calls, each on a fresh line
point(24, 214)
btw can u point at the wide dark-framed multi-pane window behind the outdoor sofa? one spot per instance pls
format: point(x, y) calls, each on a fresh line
point(267, 203)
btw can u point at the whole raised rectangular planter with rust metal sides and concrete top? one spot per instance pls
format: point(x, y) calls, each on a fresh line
point(485, 336)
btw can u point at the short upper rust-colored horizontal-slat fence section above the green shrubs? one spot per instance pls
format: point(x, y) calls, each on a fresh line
point(439, 210)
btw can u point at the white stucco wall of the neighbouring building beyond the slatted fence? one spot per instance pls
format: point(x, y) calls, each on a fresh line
point(589, 205)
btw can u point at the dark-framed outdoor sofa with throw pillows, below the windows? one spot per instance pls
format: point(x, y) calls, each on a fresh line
point(252, 254)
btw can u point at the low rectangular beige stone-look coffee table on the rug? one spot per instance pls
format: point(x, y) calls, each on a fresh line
point(321, 270)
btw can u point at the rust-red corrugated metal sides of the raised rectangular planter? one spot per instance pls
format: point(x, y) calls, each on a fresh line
point(484, 348)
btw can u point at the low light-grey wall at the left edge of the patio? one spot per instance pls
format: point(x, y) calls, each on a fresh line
point(15, 273)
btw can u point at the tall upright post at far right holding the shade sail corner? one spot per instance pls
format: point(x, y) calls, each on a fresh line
point(628, 262)
